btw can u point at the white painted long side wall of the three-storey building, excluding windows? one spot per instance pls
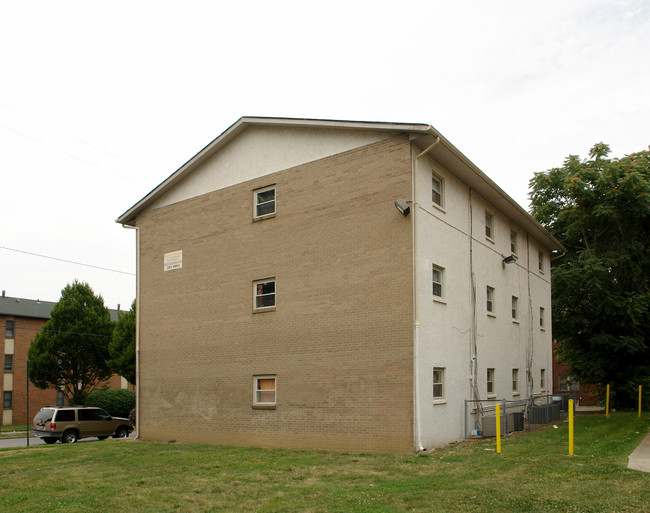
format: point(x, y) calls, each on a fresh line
point(445, 334)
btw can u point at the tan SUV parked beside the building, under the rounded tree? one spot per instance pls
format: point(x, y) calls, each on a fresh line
point(70, 423)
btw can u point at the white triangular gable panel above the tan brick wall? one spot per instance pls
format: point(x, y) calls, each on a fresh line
point(260, 151)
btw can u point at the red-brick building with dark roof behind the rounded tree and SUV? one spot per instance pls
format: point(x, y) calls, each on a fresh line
point(20, 321)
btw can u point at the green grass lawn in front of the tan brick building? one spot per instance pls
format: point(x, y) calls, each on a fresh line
point(533, 474)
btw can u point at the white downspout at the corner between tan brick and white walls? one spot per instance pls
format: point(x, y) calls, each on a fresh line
point(416, 325)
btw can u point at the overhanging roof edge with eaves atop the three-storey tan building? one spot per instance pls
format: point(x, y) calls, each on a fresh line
point(421, 134)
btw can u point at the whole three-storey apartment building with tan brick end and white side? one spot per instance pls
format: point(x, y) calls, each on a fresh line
point(277, 299)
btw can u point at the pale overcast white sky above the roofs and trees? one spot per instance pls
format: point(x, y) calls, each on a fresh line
point(100, 101)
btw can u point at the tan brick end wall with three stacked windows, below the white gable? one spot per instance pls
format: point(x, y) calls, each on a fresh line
point(340, 339)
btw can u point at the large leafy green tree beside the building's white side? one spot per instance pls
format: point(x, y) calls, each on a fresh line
point(599, 209)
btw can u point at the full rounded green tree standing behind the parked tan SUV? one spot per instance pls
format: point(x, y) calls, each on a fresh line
point(71, 351)
